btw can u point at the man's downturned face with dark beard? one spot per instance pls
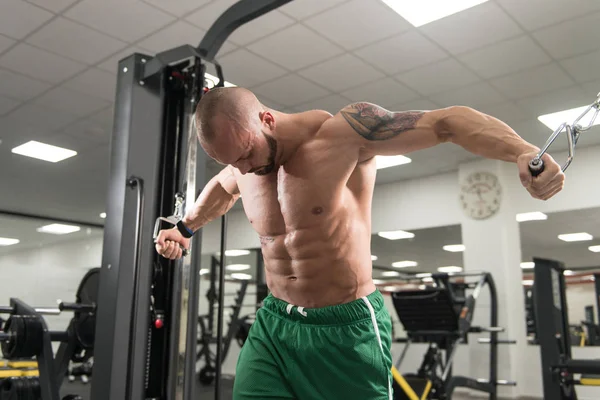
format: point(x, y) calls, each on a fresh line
point(248, 151)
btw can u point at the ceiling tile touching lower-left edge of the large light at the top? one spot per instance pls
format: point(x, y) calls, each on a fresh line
point(358, 23)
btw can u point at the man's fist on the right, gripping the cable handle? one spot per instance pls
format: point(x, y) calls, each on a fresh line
point(546, 184)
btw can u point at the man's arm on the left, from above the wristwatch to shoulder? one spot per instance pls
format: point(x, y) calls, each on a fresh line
point(217, 197)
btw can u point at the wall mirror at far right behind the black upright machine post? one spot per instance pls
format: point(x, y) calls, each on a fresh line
point(573, 238)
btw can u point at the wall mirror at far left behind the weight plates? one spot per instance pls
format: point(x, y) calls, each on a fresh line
point(42, 261)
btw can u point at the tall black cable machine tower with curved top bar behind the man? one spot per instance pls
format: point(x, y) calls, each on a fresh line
point(144, 328)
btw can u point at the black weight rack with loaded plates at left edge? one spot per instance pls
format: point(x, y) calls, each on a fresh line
point(25, 336)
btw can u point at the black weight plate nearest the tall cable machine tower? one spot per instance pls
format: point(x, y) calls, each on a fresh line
point(85, 322)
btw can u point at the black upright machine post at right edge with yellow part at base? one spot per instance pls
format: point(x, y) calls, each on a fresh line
point(559, 369)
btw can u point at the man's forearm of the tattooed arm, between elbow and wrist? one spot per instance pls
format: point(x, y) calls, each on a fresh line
point(483, 135)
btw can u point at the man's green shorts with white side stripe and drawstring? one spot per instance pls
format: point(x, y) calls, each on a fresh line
point(336, 352)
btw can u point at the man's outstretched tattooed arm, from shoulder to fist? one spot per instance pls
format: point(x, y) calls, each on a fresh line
point(377, 131)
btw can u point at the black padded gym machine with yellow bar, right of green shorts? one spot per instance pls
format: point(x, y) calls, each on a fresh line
point(441, 315)
